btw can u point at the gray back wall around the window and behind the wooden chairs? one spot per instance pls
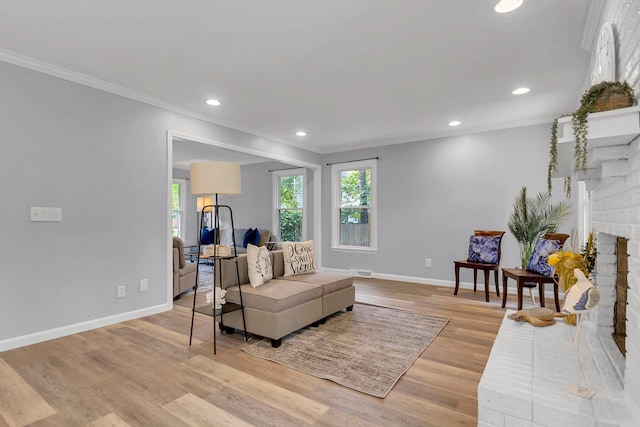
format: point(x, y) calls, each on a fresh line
point(433, 194)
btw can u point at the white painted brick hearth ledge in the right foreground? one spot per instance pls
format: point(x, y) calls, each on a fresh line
point(524, 379)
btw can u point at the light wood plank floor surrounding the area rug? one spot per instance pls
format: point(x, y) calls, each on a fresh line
point(143, 373)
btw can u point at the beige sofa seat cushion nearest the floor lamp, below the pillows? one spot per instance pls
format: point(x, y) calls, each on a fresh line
point(276, 295)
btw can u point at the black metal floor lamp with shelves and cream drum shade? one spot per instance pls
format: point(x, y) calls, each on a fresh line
point(212, 179)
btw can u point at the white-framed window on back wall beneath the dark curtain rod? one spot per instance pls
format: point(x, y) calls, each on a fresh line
point(354, 205)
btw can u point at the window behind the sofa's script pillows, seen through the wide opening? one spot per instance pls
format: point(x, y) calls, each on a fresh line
point(289, 212)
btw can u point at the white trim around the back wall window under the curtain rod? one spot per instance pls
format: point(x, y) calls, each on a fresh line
point(336, 170)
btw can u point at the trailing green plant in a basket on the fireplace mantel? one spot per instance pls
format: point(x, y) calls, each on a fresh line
point(599, 97)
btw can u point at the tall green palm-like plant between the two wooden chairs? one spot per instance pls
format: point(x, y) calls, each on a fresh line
point(532, 218)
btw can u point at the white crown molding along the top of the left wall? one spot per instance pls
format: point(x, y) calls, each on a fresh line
point(85, 80)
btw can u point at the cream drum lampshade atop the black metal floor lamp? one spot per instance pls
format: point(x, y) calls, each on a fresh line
point(208, 178)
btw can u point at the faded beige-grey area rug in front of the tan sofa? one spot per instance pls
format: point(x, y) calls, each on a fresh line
point(367, 349)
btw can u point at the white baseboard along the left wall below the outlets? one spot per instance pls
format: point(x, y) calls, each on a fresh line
point(21, 341)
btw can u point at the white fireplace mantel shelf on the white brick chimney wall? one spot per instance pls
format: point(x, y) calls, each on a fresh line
point(610, 133)
